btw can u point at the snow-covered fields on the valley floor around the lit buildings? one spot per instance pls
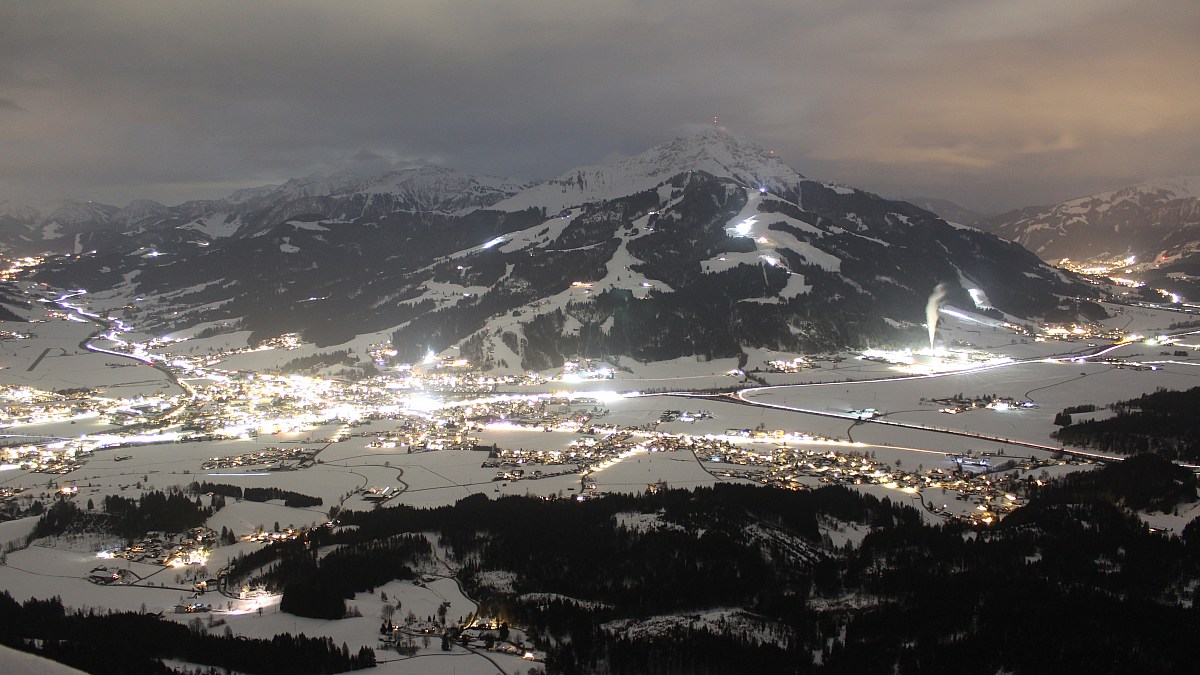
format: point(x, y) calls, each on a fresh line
point(52, 359)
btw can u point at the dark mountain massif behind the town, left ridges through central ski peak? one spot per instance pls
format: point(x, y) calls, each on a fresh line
point(700, 247)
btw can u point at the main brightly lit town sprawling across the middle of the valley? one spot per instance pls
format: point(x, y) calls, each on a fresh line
point(445, 405)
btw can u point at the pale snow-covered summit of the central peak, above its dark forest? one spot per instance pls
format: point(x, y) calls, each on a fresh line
point(711, 151)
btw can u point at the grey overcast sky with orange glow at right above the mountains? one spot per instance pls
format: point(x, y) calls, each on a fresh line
point(995, 104)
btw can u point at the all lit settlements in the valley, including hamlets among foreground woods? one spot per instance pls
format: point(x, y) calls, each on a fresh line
point(433, 432)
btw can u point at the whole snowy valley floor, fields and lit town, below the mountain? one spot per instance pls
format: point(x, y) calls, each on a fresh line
point(815, 414)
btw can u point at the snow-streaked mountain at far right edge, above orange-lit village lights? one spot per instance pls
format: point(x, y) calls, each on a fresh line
point(1157, 220)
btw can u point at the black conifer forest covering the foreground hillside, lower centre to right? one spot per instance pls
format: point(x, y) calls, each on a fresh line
point(1073, 581)
